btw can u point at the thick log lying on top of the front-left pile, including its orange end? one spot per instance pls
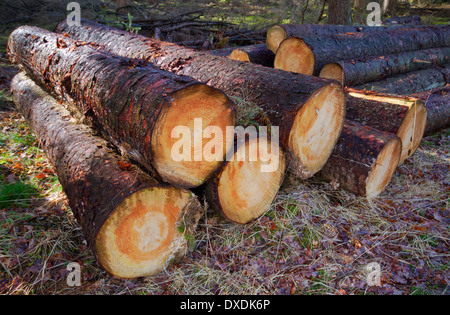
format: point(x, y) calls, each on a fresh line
point(138, 105)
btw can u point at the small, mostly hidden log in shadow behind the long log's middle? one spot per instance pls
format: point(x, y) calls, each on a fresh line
point(257, 54)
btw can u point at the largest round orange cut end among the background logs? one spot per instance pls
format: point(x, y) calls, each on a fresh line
point(295, 55)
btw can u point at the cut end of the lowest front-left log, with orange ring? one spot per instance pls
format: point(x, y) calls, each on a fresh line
point(145, 232)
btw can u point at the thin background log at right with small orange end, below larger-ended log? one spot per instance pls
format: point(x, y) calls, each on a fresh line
point(356, 72)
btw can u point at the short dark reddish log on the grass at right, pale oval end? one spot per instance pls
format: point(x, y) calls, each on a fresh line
point(364, 160)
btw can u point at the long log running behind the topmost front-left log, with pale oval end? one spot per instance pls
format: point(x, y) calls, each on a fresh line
point(309, 111)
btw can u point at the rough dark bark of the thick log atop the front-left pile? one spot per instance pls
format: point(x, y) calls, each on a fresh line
point(126, 96)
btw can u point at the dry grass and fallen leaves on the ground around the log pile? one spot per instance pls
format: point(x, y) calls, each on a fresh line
point(313, 240)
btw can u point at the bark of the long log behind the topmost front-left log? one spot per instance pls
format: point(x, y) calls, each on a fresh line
point(279, 94)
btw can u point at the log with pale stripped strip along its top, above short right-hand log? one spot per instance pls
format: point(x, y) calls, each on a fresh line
point(400, 115)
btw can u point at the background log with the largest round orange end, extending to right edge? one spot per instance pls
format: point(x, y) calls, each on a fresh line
point(308, 55)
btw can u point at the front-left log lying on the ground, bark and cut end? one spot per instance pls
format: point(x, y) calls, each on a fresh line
point(134, 225)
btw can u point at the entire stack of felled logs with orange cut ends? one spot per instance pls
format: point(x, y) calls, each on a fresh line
point(110, 107)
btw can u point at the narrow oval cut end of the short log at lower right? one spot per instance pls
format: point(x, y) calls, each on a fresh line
point(384, 168)
